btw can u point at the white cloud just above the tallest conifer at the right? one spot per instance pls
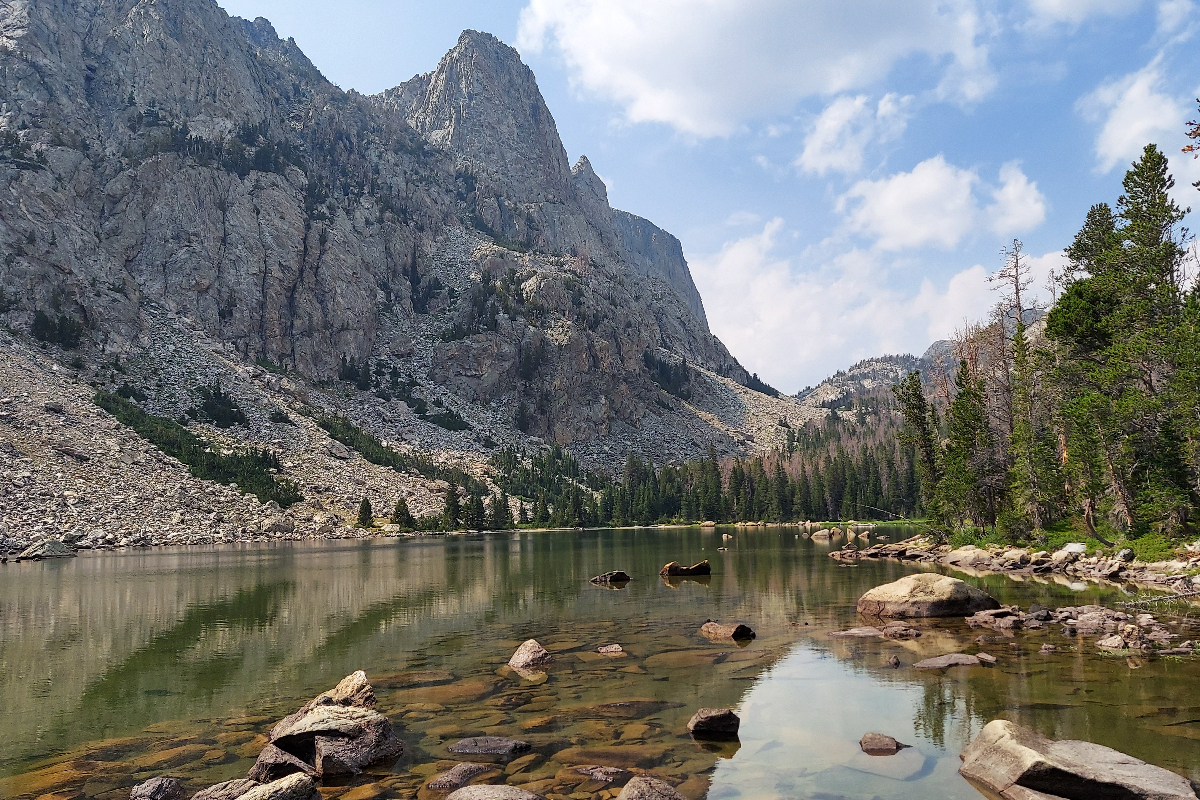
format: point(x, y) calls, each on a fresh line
point(1132, 112)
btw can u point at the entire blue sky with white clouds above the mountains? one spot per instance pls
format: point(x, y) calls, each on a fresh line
point(843, 175)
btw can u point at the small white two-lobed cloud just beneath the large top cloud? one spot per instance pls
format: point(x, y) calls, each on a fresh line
point(844, 130)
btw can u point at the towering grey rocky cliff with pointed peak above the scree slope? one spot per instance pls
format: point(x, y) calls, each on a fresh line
point(219, 181)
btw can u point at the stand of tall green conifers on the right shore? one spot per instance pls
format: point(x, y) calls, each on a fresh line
point(1096, 423)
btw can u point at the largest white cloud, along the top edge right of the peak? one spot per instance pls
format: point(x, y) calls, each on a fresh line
point(709, 67)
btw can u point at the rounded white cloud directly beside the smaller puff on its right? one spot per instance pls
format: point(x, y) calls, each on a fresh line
point(934, 204)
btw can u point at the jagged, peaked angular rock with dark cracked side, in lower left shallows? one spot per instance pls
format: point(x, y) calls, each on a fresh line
point(334, 735)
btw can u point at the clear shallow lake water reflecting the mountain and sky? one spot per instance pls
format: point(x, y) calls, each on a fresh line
point(116, 667)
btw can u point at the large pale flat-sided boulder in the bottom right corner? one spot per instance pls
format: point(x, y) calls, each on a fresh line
point(1007, 759)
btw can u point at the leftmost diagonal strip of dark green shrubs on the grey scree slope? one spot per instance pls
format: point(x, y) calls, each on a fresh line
point(251, 471)
